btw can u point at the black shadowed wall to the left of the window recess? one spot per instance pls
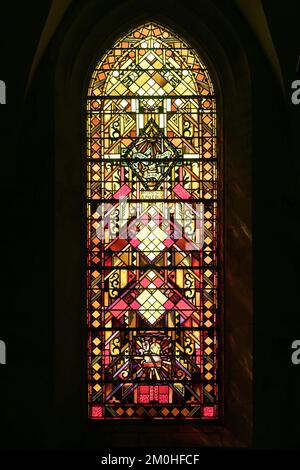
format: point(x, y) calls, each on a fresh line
point(25, 312)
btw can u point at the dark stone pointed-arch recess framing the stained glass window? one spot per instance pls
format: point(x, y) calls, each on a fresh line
point(88, 37)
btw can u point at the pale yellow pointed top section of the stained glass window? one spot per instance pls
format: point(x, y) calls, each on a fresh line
point(151, 60)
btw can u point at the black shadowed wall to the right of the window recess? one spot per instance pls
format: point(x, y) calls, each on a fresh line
point(277, 245)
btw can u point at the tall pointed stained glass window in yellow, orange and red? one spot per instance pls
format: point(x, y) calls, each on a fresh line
point(152, 270)
